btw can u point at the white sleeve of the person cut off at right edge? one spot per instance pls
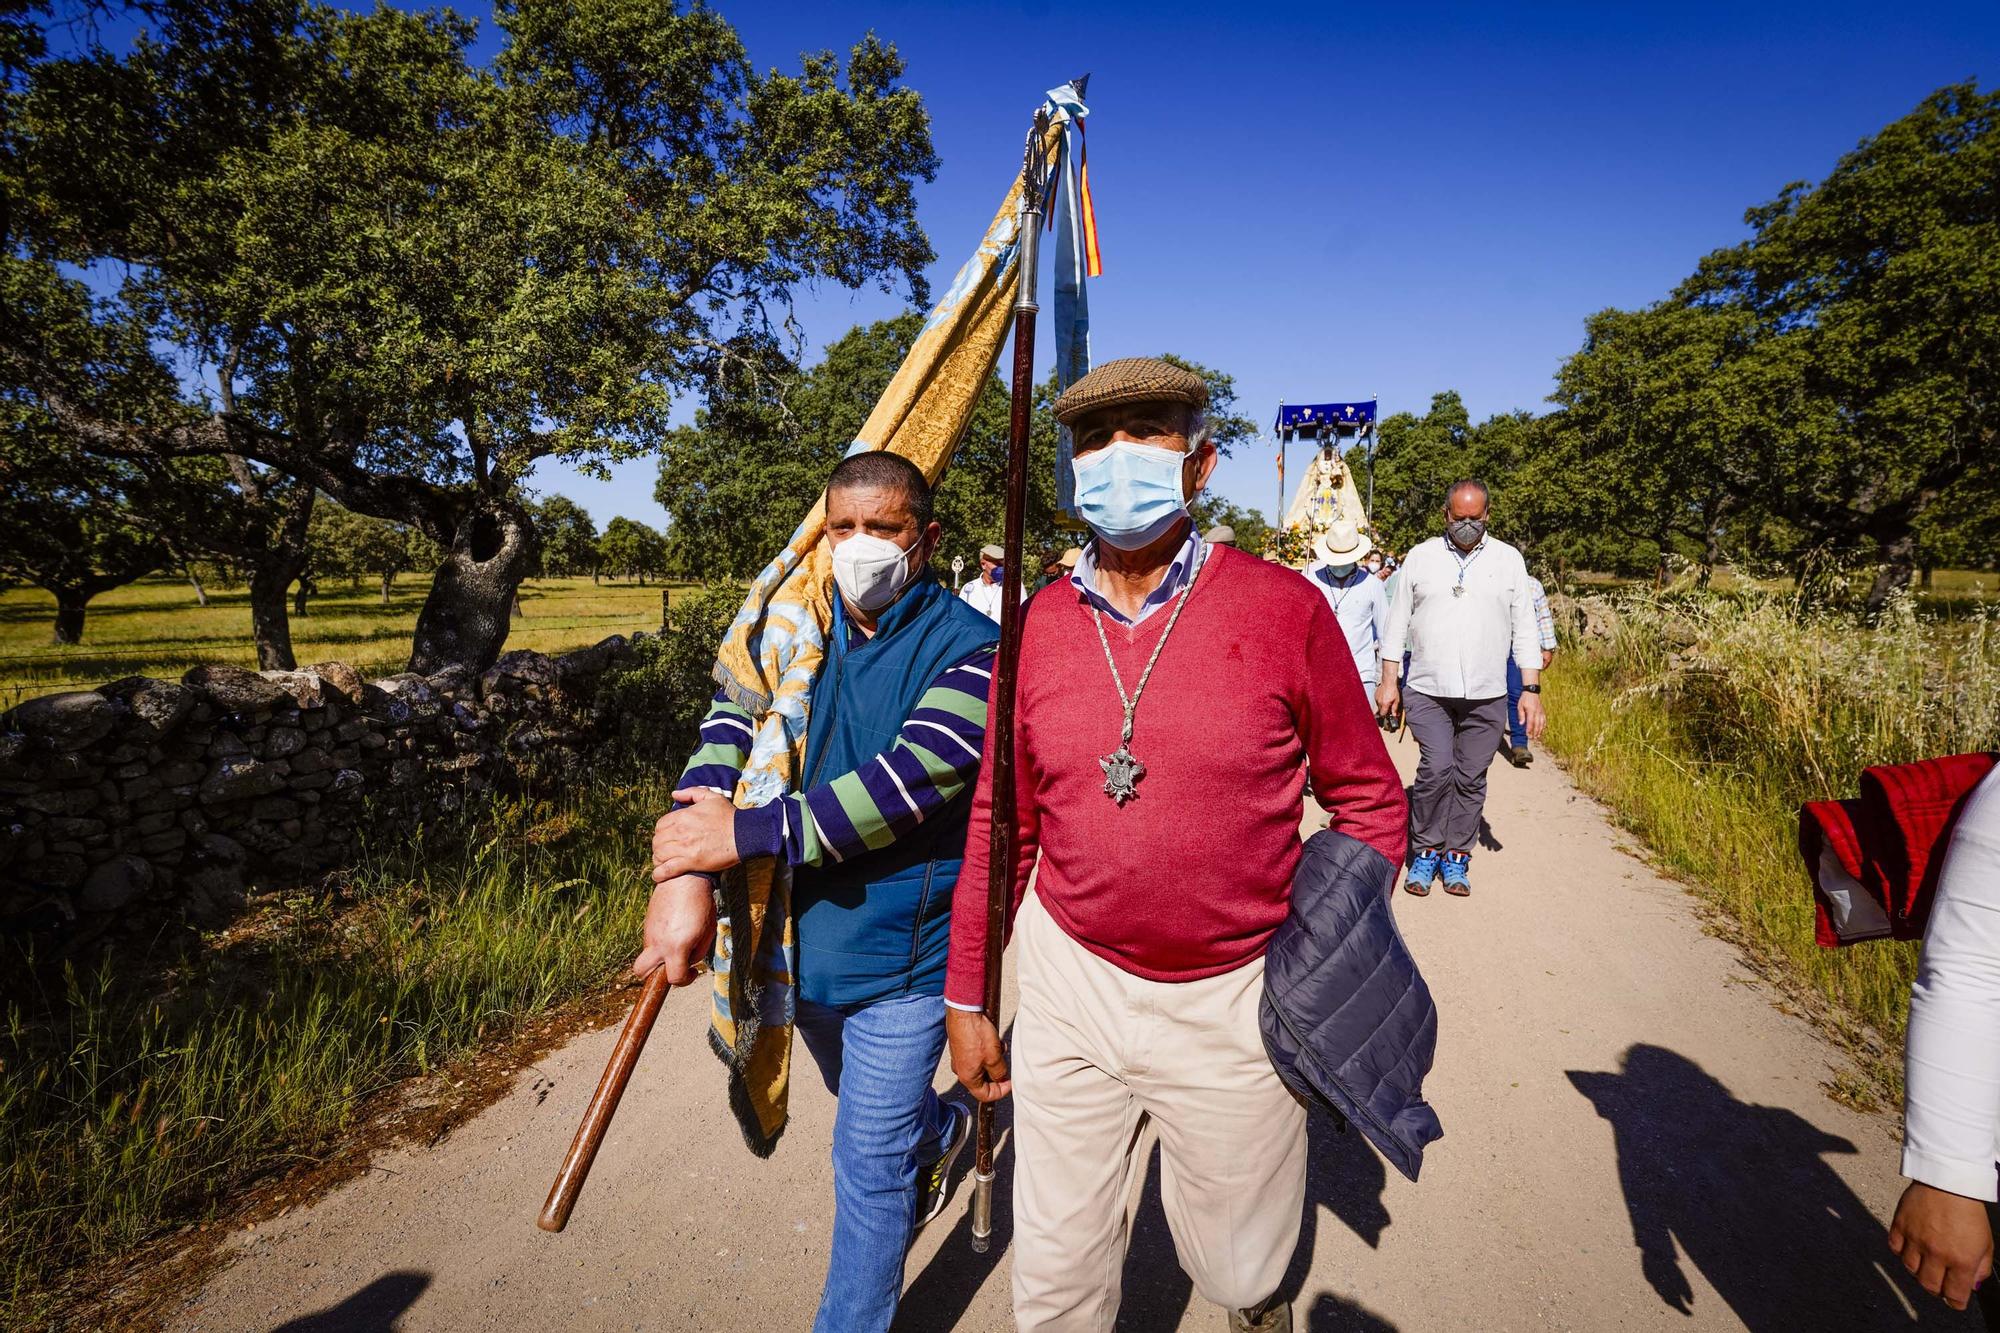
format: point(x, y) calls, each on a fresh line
point(1951, 1132)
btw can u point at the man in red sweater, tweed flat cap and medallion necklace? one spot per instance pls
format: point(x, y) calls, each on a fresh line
point(1173, 700)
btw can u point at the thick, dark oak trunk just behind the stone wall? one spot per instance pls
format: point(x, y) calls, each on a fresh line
point(465, 617)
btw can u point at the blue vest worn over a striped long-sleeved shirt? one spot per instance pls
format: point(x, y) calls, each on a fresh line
point(877, 928)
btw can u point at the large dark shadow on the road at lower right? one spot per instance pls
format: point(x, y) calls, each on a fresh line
point(1751, 1202)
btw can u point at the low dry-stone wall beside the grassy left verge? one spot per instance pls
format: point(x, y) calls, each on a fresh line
point(151, 798)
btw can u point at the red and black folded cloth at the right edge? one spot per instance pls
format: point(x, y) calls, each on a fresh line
point(1875, 860)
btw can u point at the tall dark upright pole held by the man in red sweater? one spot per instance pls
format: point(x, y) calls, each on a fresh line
point(1003, 850)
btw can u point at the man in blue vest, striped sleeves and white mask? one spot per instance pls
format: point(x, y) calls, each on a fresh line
point(875, 838)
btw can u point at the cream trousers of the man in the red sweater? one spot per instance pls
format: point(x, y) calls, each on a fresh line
point(1099, 1056)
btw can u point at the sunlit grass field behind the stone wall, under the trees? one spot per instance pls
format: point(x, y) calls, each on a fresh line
point(157, 629)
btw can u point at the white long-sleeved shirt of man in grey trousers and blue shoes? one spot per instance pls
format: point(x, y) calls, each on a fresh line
point(1459, 643)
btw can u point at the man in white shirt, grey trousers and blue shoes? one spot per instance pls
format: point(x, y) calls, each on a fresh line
point(1459, 605)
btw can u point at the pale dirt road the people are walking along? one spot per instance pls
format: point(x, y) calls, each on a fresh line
point(1635, 1140)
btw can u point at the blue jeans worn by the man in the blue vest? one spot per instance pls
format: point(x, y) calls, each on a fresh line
point(879, 1062)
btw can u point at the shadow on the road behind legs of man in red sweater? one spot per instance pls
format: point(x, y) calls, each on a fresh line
point(1343, 1178)
